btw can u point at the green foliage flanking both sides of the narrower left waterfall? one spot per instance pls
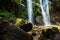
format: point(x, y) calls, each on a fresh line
point(23, 8)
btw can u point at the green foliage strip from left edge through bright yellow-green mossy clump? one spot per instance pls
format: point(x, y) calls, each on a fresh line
point(12, 18)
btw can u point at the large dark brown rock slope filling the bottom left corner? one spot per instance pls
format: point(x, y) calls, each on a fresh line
point(9, 31)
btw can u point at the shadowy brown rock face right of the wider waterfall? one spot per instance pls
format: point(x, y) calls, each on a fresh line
point(55, 11)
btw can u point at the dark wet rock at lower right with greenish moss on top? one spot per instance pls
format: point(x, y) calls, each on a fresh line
point(48, 33)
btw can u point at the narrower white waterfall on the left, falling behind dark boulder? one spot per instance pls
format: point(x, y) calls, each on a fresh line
point(29, 8)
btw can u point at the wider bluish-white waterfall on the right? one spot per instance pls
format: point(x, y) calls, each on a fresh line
point(45, 12)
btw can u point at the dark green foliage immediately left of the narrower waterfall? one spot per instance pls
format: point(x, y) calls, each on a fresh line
point(23, 9)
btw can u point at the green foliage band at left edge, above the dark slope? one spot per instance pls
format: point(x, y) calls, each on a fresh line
point(7, 15)
